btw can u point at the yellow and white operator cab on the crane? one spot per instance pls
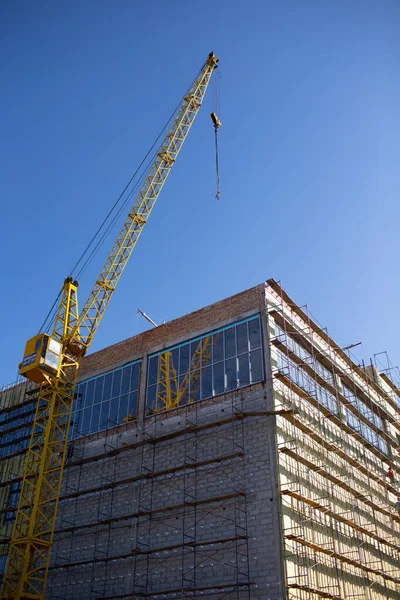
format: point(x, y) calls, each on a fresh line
point(41, 358)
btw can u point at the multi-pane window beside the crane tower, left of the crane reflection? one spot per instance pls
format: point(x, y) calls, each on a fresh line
point(104, 401)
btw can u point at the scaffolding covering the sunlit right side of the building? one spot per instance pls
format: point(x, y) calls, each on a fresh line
point(341, 529)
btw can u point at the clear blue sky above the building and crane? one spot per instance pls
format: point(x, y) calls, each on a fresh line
point(309, 151)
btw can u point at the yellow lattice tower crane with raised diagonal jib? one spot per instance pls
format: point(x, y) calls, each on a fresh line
point(53, 362)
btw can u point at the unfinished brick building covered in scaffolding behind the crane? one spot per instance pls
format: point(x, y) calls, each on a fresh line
point(237, 452)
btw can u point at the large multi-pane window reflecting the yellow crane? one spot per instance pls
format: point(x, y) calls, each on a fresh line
point(221, 361)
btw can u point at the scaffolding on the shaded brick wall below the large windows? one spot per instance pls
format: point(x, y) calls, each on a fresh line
point(177, 525)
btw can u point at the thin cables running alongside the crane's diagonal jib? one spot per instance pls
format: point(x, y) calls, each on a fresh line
point(51, 315)
